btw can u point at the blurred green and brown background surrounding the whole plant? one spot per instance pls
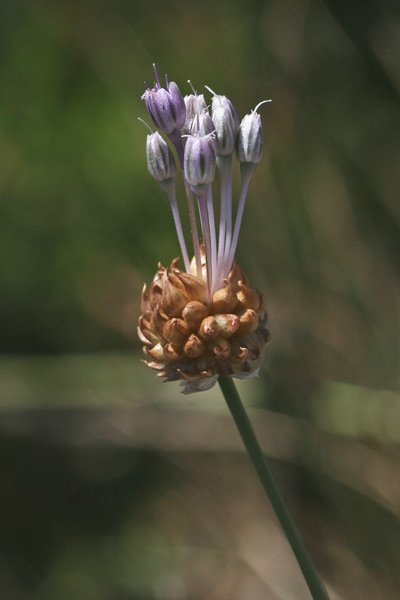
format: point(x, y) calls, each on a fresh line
point(113, 485)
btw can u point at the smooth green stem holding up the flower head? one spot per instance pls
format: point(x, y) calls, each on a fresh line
point(267, 479)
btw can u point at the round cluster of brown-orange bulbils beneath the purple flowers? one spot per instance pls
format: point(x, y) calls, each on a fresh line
point(186, 339)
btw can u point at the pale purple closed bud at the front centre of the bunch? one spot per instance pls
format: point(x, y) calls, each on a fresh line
point(199, 162)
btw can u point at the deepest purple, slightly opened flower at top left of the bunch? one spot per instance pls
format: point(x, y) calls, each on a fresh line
point(166, 107)
